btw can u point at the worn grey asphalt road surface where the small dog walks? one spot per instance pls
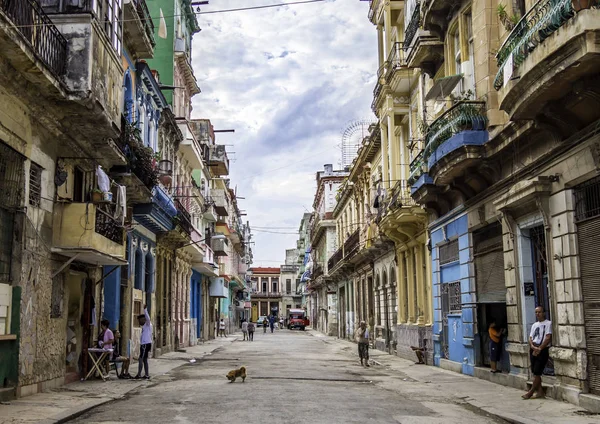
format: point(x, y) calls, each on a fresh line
point(293, 377)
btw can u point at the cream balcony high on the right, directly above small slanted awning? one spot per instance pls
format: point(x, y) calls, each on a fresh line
point(423, 49)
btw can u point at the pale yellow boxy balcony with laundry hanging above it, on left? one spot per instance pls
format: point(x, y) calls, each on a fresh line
point(98, 239)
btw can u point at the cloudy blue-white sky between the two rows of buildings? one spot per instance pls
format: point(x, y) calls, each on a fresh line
point(289, 80)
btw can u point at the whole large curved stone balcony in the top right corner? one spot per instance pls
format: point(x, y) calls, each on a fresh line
point(549, 64)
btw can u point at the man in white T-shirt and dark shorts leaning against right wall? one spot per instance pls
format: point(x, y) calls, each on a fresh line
point(540, 338)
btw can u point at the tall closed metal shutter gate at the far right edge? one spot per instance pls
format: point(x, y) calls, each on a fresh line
point(587, 215)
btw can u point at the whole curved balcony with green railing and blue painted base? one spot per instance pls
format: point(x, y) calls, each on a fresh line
point(457, 136)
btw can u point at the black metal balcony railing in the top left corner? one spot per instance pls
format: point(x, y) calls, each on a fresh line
point(45, 40)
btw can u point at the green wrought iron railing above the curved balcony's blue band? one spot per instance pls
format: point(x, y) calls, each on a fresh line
point(464, 115)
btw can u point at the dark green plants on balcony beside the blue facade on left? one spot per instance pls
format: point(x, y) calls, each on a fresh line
point(141, 158)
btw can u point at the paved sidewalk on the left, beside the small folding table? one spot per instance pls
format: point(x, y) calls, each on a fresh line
point(70, 401)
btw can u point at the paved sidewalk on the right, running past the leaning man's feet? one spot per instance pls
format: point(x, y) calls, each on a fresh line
point(494, 399)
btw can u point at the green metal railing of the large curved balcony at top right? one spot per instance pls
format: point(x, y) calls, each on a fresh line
point(545, 17)
